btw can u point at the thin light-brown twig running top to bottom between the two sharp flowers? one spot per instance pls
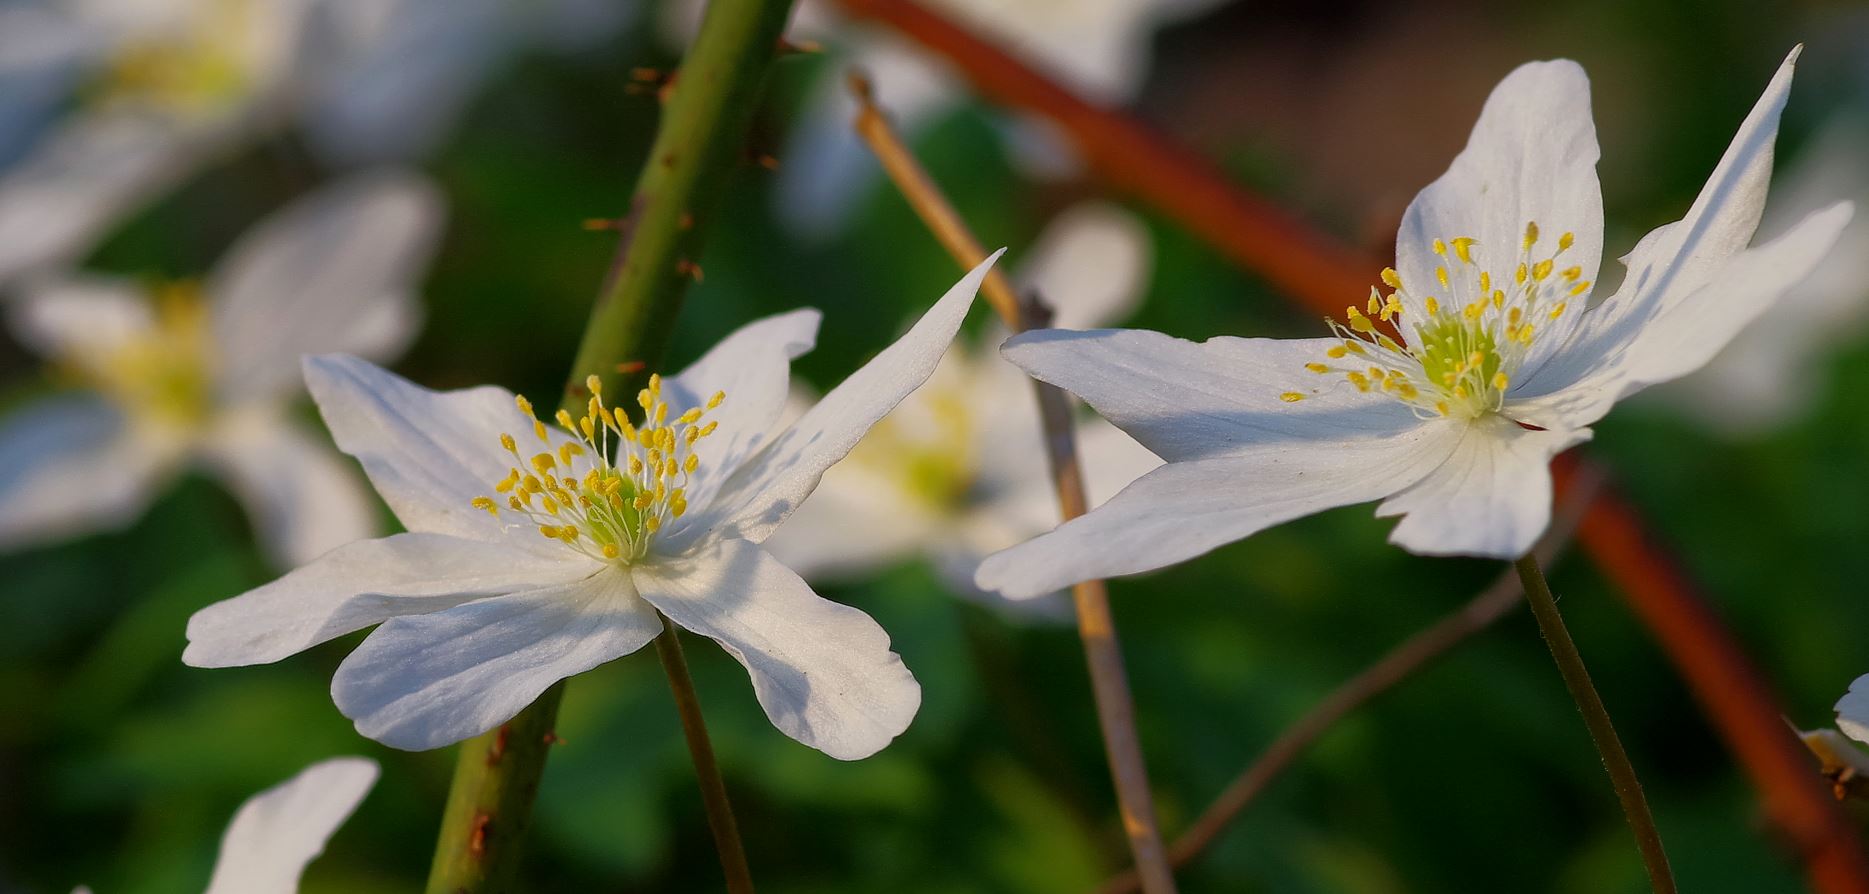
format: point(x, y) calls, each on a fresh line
point(1096, 627)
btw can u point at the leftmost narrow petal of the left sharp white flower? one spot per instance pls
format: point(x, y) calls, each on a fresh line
point(364, 584)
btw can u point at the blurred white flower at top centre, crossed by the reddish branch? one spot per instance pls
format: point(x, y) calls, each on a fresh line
point(1096, 48)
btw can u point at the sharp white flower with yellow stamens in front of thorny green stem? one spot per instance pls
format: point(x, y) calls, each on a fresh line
point(541, 553)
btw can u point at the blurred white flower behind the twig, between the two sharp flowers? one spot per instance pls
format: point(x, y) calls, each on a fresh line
point(958, 470)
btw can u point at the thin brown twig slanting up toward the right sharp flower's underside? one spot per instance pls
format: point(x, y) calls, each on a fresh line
point(1395, 667)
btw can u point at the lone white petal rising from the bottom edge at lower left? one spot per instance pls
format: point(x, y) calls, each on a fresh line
point(281, 829)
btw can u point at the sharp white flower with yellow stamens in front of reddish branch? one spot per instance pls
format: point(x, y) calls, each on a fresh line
point(1504, 368)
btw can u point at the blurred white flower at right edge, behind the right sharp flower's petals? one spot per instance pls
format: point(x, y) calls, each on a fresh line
point(1773, 371)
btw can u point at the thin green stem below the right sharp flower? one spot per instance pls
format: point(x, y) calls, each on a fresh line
point(1597, 719)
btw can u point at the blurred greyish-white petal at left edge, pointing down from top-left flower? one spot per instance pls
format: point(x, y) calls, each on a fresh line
point(57, 203)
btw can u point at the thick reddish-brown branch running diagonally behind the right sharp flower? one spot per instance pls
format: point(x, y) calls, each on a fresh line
point(1324, 276)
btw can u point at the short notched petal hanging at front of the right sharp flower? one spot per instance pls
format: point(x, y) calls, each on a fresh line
point(1491, 498)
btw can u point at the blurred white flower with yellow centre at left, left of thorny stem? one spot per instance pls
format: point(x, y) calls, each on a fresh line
point(208, 373)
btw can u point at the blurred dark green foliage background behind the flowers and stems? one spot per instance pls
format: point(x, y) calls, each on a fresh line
point(121, 768)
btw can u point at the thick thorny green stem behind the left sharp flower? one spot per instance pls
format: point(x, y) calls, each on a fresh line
point(698, 147)
